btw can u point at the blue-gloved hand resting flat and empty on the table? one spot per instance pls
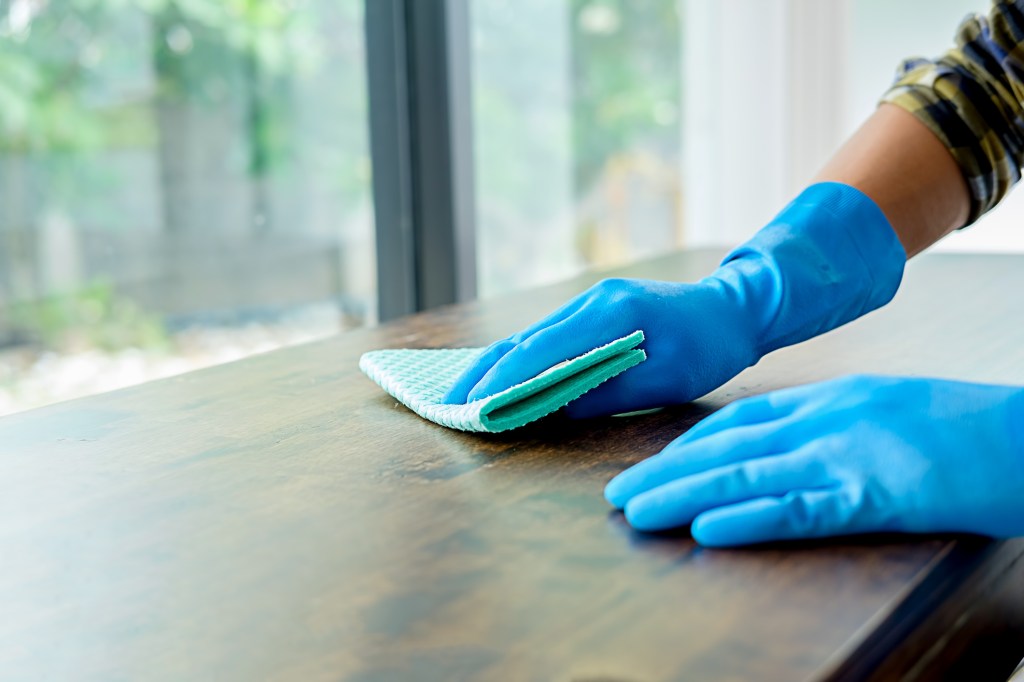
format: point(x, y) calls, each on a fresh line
point(855, 455)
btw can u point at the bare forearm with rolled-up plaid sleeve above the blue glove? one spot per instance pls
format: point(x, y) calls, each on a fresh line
point(971, 101)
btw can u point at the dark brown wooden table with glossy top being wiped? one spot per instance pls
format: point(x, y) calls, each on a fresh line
point(282, 519)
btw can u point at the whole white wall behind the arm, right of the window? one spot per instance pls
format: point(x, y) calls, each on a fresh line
point(773, 88)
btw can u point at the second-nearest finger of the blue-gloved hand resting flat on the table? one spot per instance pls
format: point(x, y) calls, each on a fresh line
point(679, 502)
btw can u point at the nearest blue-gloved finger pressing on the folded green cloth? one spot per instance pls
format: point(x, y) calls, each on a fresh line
point(564, 340)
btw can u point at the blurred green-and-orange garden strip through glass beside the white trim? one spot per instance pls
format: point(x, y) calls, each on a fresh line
point(626, 60)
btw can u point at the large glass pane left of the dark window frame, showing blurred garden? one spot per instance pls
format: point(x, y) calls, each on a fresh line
point(182, 184)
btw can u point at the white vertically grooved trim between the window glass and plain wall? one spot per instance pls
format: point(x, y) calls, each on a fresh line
point(764, 96)
